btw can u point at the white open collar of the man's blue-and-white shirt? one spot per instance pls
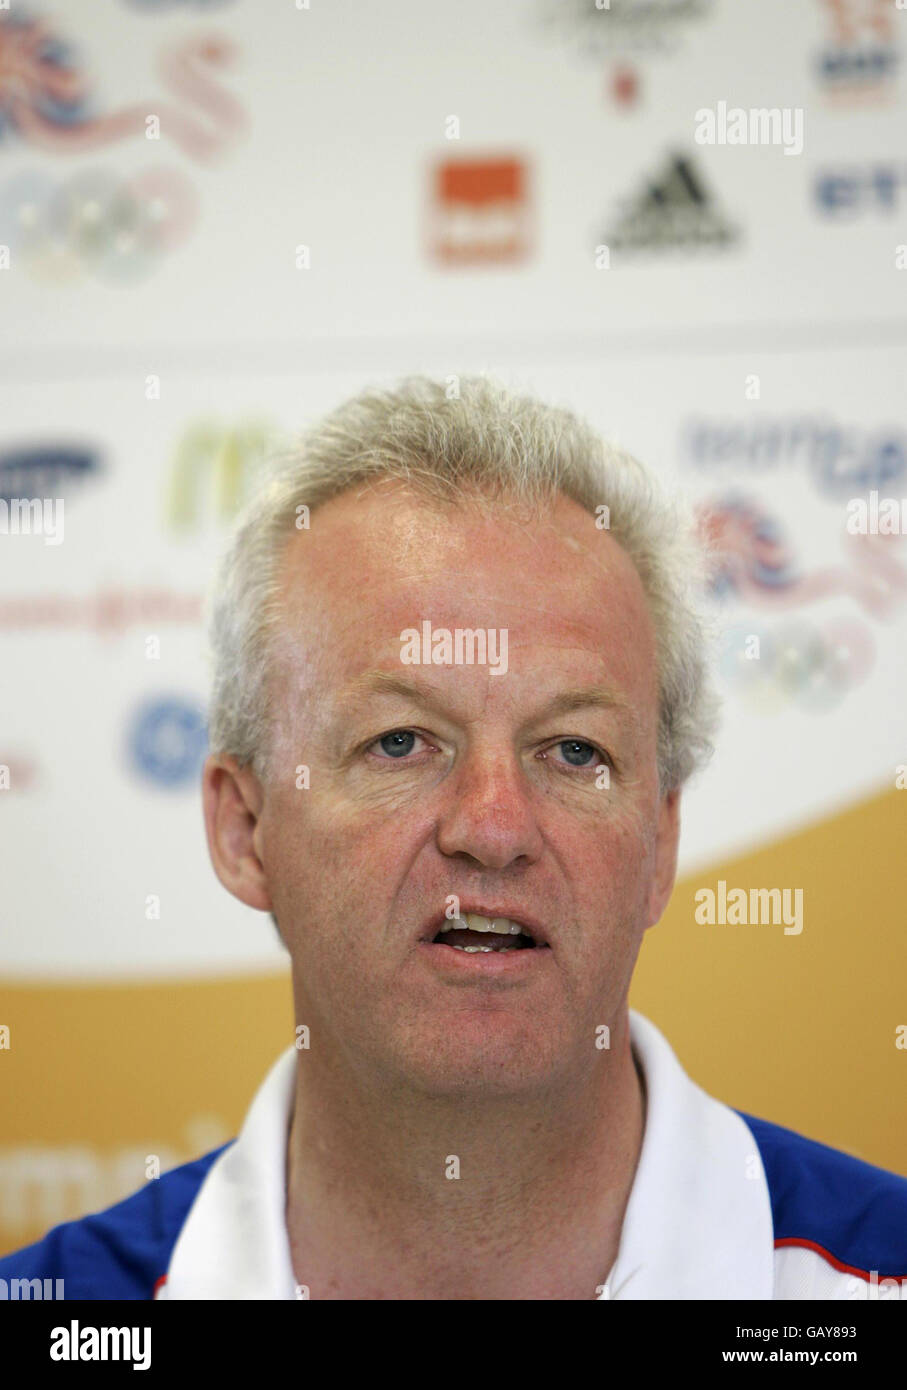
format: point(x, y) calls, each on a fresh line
point(698, 1223)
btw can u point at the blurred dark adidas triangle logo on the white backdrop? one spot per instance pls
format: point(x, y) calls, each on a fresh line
point(674, 211)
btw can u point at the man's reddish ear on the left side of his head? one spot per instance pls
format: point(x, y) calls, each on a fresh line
point(233, 803)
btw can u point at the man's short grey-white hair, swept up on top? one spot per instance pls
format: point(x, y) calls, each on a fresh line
point(467, 439)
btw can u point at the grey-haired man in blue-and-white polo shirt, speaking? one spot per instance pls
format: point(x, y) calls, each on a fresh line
point(460, 682)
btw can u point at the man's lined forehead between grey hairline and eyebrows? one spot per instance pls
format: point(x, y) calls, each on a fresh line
point(573, 607)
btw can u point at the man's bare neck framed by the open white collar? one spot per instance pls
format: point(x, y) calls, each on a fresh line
point(395, 1196)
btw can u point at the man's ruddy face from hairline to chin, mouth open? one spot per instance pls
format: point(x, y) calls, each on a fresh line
point(483, 794)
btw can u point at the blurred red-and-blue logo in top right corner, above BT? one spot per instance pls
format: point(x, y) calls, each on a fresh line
point(860, 59)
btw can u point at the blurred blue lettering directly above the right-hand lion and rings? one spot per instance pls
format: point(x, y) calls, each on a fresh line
point(840, 459)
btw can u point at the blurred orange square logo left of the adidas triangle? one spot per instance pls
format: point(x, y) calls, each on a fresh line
point(480, 212)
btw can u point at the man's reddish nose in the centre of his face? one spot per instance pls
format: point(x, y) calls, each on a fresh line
point(490, 811)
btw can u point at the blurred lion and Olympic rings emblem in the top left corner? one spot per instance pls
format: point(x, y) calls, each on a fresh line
point(105, 224)
